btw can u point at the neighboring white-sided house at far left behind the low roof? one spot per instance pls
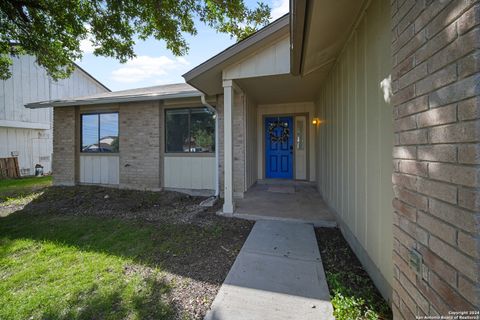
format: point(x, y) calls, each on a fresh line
point(27, 134)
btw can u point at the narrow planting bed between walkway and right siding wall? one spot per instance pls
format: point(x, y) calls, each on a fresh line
point(347, 280)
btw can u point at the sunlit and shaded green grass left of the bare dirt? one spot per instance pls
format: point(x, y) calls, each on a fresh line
point(79, 268)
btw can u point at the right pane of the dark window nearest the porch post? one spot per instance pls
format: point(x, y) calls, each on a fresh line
point(202, 129)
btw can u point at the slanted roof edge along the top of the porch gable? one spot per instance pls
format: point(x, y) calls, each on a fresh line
point(243, 48)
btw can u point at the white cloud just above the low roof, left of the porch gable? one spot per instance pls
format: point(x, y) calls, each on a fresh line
point(144, 68)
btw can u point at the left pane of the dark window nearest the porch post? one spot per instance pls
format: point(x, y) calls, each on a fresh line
point(177, 130)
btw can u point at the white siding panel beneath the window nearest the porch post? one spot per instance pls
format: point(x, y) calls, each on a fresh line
point(185, 172)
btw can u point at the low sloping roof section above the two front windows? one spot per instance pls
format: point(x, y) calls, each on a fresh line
point(164, 92)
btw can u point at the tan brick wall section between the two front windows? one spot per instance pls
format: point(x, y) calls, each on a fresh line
point(141, 132)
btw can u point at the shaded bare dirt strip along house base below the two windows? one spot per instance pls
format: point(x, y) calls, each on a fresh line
point(166, 206)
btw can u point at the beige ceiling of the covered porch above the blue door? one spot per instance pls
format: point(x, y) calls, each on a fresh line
point(283, 88)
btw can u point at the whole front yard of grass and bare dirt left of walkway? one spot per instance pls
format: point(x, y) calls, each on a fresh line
point(59, 261)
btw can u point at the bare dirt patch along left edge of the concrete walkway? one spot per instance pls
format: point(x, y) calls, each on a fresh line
point(199, 273)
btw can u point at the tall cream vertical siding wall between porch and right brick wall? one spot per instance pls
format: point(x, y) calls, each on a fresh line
point(356, 141)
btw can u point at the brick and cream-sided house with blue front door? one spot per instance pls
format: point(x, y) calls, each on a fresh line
point(375, 102)
